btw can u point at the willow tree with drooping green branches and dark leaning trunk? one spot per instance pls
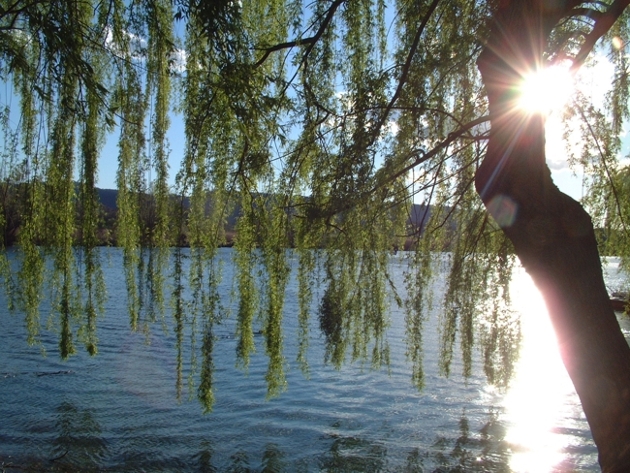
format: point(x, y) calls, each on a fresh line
point(320, 122)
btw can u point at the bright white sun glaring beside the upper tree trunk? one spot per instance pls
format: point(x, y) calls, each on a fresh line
point(546, 90)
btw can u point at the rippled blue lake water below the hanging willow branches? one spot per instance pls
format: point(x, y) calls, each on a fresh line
point(118, 411)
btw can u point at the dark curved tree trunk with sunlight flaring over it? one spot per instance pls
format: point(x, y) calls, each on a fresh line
point(552, 234)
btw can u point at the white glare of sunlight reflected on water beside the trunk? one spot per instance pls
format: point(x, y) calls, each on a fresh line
point(541, 391)
